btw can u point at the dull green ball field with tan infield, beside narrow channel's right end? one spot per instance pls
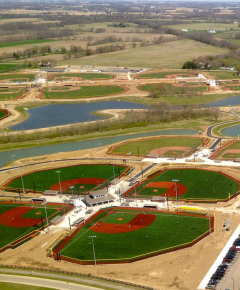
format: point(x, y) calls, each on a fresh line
point(163, 146)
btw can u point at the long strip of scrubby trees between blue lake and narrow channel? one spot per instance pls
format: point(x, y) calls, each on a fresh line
point(158, 114)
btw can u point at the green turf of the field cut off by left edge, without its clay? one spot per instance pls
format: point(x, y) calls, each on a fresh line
point(9, 234)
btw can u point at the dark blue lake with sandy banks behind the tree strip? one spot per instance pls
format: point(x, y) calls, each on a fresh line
point(63, 114)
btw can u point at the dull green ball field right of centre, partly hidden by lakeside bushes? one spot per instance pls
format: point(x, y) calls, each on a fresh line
point(179, 88)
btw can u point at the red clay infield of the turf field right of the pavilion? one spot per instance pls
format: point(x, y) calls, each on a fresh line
point(170, 187)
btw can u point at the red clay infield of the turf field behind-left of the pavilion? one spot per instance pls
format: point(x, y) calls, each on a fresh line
point(67, 183)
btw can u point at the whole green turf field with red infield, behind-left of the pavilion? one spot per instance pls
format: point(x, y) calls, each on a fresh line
point(82, 177)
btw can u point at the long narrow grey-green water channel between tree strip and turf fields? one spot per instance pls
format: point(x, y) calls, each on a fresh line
point(5, 156)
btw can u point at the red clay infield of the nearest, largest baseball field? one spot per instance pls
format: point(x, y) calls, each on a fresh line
point(138, 222)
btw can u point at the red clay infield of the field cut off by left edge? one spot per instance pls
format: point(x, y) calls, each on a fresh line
point(14, 218)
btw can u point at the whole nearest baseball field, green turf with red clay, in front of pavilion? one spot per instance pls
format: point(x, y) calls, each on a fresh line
point(123, 235)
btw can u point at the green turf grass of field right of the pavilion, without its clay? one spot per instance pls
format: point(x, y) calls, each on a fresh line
point(201, 184)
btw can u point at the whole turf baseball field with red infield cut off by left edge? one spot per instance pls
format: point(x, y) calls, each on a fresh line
point(21, 222)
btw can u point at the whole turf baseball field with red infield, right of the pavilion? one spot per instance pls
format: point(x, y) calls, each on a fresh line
point(192, 185)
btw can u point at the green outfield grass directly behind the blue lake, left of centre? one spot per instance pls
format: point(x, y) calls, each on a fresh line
point(84, 92)
